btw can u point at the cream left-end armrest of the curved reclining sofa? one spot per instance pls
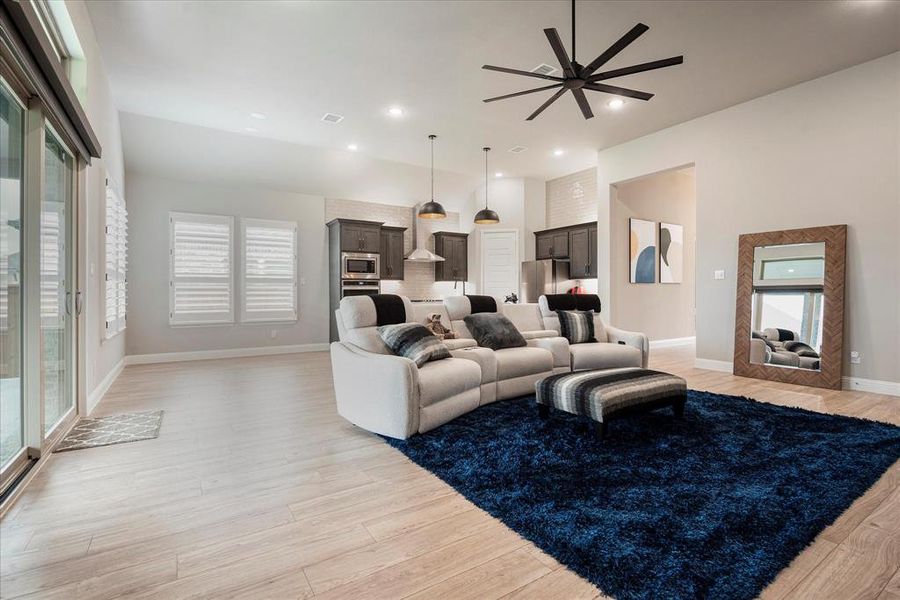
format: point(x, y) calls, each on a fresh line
point(378, 392)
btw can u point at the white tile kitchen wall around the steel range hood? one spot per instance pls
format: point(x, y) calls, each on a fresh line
point(418, 278)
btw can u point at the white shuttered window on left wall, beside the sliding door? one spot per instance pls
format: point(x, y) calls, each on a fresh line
point(116, 296)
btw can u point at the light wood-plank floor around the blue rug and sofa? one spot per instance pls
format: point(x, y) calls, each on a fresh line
point(257, 489)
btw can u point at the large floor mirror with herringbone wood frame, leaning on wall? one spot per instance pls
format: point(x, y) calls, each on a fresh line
point(789, 320)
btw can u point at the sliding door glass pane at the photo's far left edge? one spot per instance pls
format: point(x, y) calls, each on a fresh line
point(12, 160)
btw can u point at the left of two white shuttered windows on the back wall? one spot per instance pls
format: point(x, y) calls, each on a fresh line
point(200, 269)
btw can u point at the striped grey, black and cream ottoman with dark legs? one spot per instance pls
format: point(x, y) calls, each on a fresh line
point(610, 393)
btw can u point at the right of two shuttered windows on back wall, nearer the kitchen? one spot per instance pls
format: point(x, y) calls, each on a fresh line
point(269, 269)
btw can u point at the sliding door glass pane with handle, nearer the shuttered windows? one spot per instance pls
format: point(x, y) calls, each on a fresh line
point(57, 364)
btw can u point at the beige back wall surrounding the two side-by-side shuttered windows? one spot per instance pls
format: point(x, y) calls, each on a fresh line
point(151, 198)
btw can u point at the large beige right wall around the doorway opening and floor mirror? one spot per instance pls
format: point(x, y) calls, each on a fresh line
point(823, 152)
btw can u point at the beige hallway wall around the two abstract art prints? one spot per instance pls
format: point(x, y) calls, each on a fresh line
point(661, 310)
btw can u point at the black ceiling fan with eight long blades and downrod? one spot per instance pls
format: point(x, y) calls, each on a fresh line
point(579, 78)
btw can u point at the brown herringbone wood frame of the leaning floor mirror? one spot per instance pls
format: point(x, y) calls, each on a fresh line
point(829, 375)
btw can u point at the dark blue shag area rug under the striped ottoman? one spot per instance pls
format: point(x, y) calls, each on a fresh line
point(714, 505)
